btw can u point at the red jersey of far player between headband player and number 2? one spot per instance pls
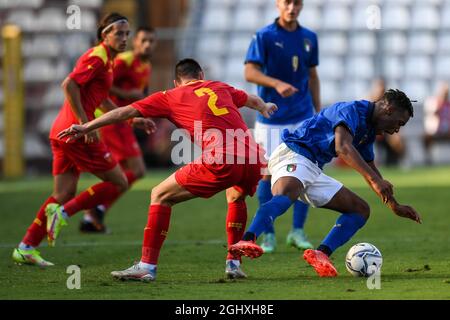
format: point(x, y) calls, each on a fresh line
point(130, 73)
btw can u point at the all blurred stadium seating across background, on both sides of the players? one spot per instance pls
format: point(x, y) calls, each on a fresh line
point(411, 50)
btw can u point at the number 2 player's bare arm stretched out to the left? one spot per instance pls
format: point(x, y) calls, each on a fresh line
point(120, 114)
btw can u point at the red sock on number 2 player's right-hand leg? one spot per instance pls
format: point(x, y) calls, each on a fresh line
point(235, 223)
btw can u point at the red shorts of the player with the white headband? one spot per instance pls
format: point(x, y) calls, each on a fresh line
point(80, 157)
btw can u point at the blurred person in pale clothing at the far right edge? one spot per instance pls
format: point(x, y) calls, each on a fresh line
point(437, 119)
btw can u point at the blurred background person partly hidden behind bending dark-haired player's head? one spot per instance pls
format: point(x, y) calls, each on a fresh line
point(392, 145)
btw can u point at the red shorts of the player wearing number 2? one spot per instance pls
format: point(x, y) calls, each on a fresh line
point(205, 180)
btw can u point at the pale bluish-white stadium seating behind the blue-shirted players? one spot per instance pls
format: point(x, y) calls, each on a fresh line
point(411, 50)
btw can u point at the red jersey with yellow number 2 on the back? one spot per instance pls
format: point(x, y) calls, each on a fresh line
point(203, 108)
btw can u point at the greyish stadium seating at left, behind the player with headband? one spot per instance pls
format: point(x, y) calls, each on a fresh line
point(50, 50)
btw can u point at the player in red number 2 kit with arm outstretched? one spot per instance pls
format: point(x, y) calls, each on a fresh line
point(209, 108)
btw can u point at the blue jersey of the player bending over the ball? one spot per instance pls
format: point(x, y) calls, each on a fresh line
point(314, 139)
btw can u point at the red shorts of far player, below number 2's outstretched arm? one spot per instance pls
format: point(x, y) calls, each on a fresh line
point(121, 141)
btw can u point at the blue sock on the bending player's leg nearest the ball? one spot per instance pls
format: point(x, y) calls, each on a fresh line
point(346, 226)
